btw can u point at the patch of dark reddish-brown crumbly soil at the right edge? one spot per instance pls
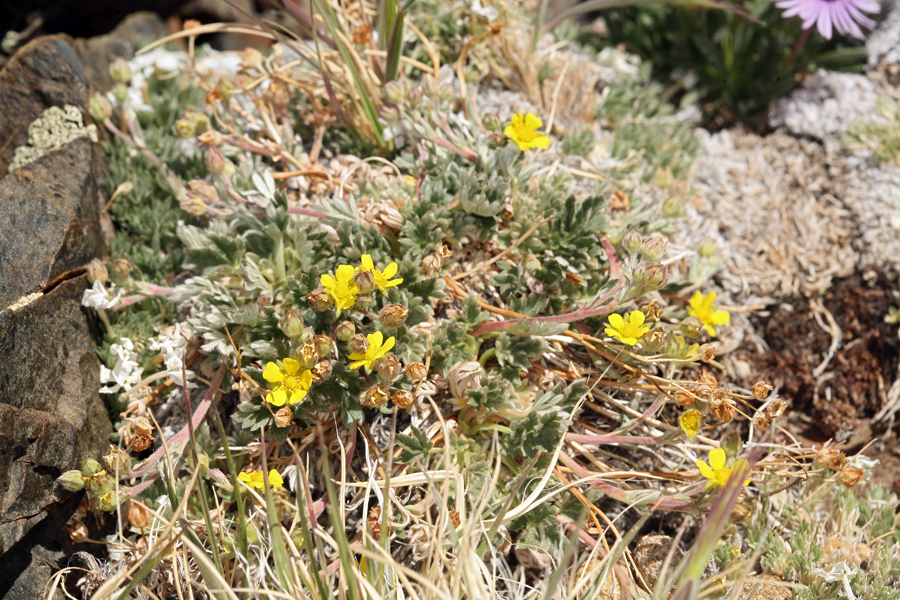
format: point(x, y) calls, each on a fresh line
point(836, 401)
